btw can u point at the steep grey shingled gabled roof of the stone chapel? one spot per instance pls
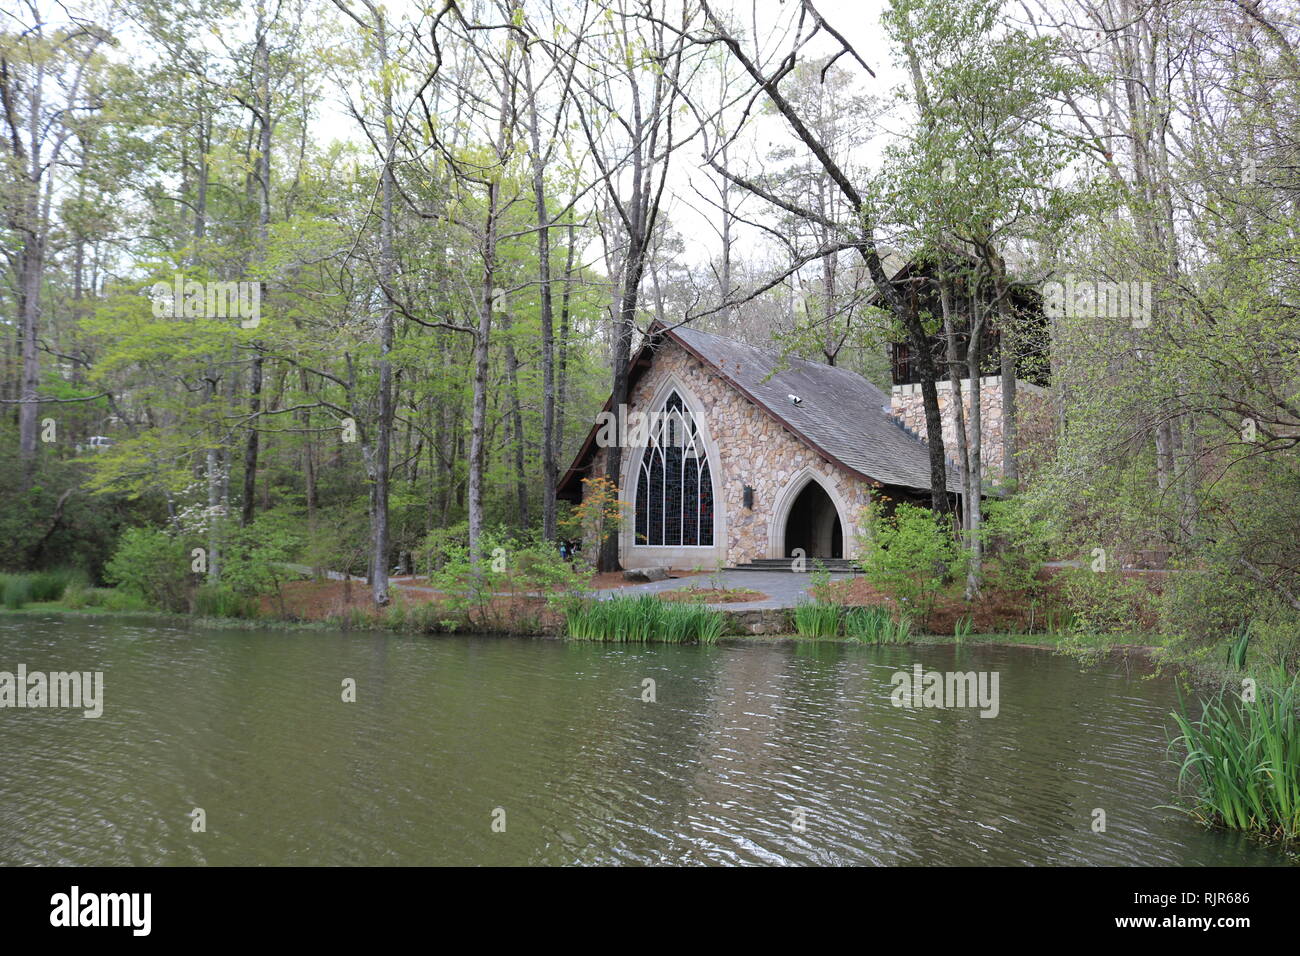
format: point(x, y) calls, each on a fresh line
point(842, 416)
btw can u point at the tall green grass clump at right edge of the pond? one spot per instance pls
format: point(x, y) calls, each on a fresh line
point(1243, 759)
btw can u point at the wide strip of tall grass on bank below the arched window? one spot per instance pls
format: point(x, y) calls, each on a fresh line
point(642, 620)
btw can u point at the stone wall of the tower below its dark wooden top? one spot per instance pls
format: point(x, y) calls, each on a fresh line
point(1032, 403)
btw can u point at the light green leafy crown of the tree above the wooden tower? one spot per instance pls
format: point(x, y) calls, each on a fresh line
point(990, 159)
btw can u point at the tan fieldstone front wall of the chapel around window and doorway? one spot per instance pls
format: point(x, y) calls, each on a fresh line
point(746, 448)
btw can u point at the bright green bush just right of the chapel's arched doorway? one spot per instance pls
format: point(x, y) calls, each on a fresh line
point(912, 556)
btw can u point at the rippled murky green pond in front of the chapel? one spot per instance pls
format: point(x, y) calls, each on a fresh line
point(515, 751)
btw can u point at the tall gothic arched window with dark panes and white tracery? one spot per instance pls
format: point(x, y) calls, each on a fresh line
point(675, 492)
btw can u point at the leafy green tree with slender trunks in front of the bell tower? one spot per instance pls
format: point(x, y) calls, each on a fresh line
point(983, 172)
